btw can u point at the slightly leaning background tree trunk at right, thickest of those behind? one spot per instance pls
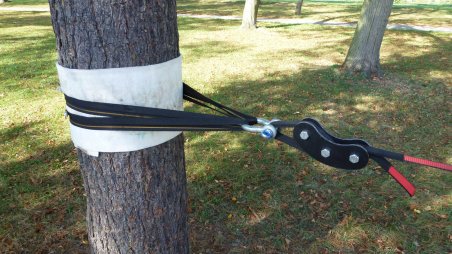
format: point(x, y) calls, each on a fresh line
point(364, 53)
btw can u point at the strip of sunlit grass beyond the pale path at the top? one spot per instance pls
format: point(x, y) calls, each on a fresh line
point(333, 11)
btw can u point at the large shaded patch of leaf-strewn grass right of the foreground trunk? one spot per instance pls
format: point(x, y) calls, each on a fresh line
point(248, 195)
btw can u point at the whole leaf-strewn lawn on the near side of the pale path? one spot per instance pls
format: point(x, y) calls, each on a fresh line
point(247, 195)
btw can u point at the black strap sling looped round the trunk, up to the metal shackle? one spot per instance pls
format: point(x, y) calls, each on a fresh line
point(128, 117)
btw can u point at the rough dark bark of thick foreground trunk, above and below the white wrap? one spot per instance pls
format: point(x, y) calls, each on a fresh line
point(136, 201)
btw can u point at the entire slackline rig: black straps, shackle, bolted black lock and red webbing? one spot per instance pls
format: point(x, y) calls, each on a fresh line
point(110, 116)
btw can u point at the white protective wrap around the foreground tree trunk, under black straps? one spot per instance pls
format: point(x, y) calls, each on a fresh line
point(157, 86)
